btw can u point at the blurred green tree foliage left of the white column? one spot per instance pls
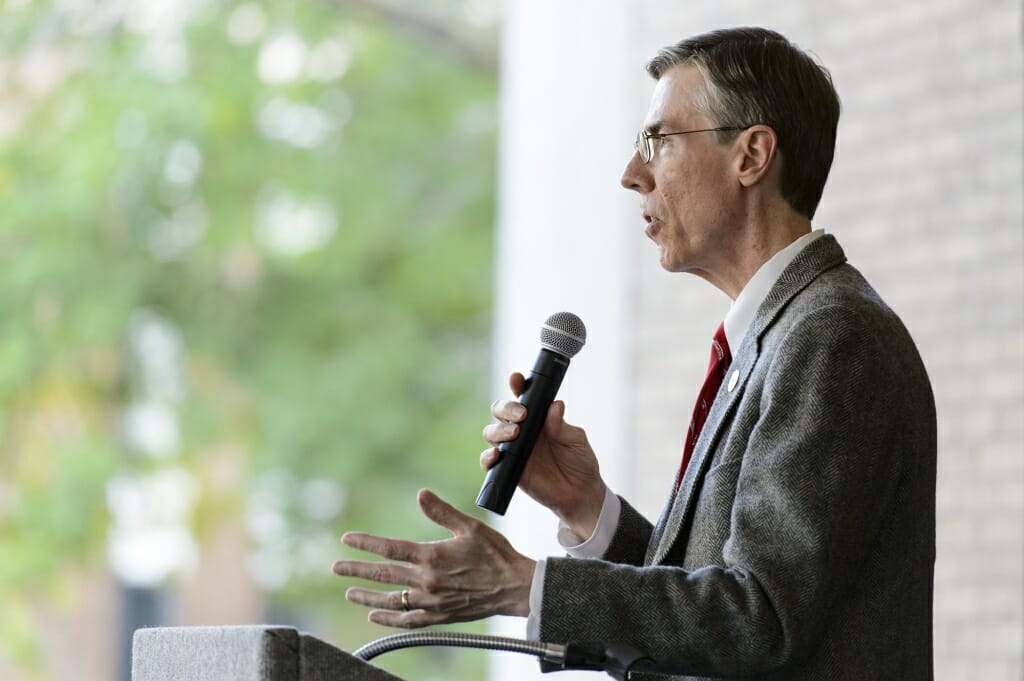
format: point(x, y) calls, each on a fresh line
point(317, 238)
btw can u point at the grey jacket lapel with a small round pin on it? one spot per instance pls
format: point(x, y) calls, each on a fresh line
point(820, 256)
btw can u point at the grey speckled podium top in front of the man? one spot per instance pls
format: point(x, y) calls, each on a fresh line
point(243, 654)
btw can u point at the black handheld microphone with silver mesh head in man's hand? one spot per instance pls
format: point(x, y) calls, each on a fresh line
point(562, 337)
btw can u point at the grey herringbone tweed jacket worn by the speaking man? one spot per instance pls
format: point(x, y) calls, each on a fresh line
point(801, 544)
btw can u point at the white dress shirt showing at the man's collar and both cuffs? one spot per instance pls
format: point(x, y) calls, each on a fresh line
point(738, 321)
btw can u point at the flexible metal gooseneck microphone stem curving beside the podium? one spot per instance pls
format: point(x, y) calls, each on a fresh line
point(618, 661)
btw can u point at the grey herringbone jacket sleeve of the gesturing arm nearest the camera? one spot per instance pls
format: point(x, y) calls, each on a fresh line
point(818, 475)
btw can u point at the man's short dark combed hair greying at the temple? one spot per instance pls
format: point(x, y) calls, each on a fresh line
point(756, 76)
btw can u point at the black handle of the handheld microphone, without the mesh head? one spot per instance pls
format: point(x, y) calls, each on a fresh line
point(542, 387)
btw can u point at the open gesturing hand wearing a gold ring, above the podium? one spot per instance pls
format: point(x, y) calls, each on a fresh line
point(474, 575)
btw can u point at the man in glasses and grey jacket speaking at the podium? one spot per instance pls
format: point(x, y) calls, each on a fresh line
point(799, 541)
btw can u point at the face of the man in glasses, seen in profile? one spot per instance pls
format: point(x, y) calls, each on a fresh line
point(689, 192)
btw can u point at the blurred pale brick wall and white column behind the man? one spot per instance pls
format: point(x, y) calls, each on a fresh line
point(925, 195)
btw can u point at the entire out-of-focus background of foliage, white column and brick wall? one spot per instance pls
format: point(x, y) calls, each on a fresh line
point(266, 266)
